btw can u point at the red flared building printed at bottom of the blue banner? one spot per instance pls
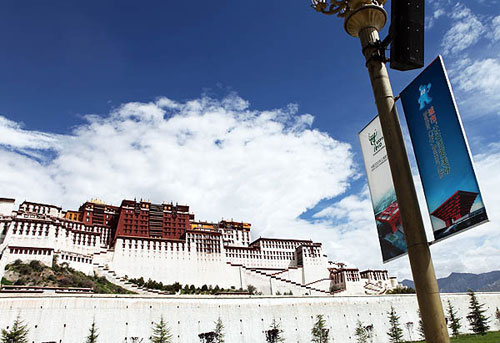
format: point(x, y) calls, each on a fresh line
point(457, 206)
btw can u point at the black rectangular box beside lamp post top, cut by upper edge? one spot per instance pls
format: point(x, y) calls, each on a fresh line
point(407, 34)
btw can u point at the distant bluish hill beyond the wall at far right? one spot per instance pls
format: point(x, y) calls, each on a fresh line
point(461, 282)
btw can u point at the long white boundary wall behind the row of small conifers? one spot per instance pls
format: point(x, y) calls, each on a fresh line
point(67, 318)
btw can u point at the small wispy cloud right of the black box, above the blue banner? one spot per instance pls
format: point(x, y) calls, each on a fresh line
point(465, 31)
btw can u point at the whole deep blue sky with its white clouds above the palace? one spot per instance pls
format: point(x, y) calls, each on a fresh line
point(123, 99)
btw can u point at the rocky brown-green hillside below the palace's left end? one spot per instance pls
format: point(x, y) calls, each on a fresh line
point(35, 273)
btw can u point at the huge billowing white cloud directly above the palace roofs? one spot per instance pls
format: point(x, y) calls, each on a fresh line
point(218, 156)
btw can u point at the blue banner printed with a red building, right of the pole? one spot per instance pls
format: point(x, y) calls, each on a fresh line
point(450, 186)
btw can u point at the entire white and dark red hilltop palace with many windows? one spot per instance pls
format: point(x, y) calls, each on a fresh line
point(165, 243)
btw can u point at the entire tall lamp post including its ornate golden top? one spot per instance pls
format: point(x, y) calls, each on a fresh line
point(364, 19)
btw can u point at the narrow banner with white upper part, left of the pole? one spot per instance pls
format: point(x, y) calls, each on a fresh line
point(385, 204)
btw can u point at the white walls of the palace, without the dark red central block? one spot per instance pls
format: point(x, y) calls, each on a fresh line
point(206, 255)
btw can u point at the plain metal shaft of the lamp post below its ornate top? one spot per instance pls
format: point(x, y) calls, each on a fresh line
point(422, 268)
